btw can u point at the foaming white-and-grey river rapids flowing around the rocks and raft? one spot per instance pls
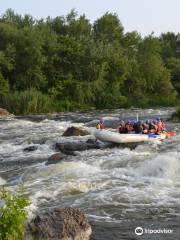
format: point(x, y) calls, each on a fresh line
point(119, 188)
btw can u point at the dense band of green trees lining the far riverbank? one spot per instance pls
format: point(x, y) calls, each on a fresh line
point(67, 63)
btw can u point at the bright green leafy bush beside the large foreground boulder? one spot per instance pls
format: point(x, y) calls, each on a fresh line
point(13, 214)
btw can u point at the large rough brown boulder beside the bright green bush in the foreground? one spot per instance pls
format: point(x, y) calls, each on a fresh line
point(60, 224)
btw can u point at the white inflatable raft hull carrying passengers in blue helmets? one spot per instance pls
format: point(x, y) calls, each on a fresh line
point(115, 137)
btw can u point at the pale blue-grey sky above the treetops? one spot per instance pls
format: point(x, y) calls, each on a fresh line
point(144, 16)
